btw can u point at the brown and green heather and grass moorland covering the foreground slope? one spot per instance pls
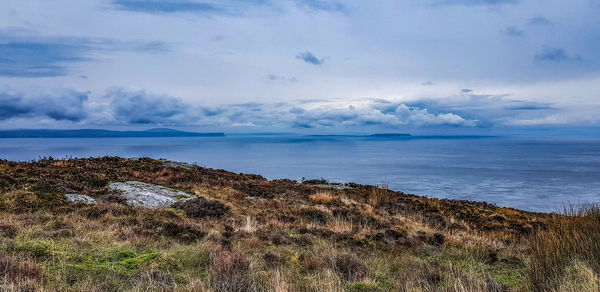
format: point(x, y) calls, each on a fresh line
point(245, 233)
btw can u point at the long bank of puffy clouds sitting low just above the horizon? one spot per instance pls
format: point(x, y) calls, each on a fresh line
point(120, 106)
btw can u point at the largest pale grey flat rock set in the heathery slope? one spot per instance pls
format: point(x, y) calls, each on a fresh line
point(139, 194)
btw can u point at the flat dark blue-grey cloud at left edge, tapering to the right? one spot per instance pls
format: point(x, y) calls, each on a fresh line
point(32, 55)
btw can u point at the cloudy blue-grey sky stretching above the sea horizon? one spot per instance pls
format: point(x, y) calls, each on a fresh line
point(468, 66)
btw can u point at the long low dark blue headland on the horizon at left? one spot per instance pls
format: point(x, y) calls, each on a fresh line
point(100, 133)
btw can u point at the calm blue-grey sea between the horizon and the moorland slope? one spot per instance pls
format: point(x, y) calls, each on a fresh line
point(531, 174)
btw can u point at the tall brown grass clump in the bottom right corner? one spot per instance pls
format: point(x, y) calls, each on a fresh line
point(566, 257)
